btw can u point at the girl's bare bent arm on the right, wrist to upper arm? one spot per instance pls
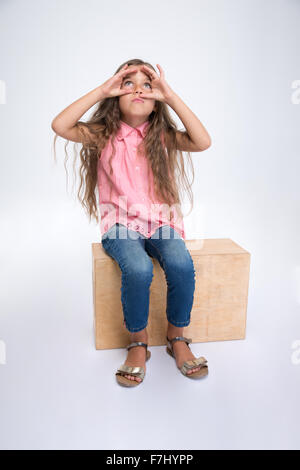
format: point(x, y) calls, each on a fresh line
point(195, 138)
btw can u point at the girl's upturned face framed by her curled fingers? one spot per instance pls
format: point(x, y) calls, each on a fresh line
point(136, 82)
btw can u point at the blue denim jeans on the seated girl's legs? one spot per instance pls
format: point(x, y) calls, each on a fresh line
point(133, 251)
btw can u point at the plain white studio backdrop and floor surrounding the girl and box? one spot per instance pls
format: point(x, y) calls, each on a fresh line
point(233, 63)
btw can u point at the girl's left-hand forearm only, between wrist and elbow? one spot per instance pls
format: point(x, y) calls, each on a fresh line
point(72, 114)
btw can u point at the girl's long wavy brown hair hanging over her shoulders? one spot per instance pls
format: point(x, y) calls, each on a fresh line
point(166, 161)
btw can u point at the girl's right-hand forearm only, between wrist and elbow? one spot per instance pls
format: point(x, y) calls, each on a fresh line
point(195, 129)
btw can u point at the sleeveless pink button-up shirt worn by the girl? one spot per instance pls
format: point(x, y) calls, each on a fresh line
point(129, 202)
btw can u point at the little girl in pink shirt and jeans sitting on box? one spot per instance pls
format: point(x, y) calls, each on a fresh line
point(130, 151)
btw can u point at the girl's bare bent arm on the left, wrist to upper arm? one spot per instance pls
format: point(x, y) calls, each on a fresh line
point(65, 124)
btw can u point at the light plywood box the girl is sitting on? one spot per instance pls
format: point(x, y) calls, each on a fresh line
point(220, 299)
